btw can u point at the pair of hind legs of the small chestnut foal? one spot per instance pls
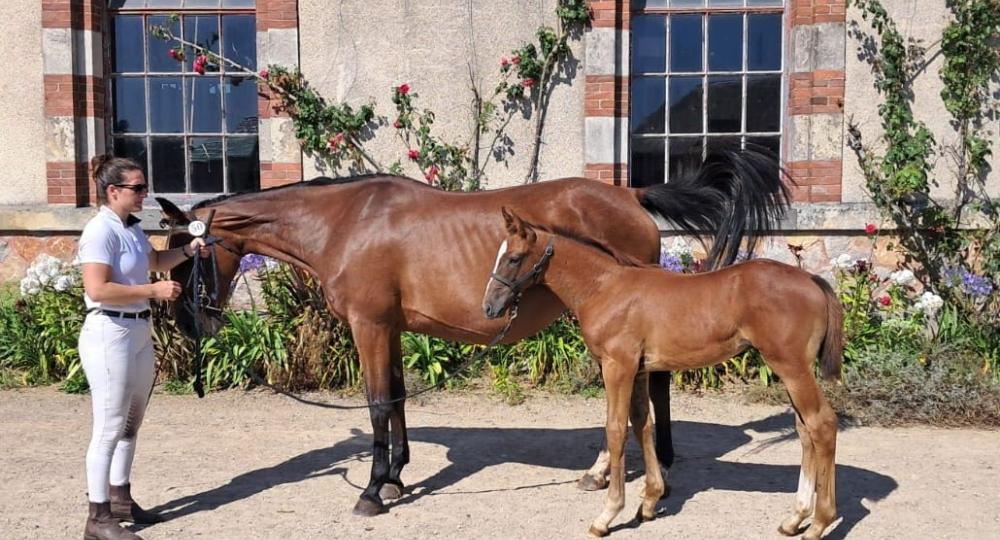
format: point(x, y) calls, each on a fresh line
point(820, 425)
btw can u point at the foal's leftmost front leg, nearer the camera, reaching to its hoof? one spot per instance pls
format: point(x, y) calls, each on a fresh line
point(618, 381)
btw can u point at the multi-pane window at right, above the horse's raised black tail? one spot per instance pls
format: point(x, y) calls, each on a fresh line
point(704, 75)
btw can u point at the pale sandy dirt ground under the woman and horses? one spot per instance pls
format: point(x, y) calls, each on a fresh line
point(253, 465)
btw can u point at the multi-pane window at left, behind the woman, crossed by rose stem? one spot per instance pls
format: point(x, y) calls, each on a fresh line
point(194, 134)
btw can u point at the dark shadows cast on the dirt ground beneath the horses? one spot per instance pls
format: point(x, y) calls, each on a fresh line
point(698, 467)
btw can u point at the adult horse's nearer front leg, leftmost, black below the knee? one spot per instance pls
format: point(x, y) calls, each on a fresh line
point(373, 343)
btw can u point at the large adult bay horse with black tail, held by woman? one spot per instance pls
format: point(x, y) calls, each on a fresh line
point(393, 254)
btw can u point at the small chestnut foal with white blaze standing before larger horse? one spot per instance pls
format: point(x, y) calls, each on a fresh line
point(637, 320)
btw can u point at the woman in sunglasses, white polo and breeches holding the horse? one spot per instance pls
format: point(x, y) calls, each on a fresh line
point(116, 347)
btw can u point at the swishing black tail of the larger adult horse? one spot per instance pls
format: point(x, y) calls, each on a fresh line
point(736, 194)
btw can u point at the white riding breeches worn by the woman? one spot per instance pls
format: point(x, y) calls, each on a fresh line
point(117, 356)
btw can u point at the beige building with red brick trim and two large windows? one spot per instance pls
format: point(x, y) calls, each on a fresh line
point(651, 85)
